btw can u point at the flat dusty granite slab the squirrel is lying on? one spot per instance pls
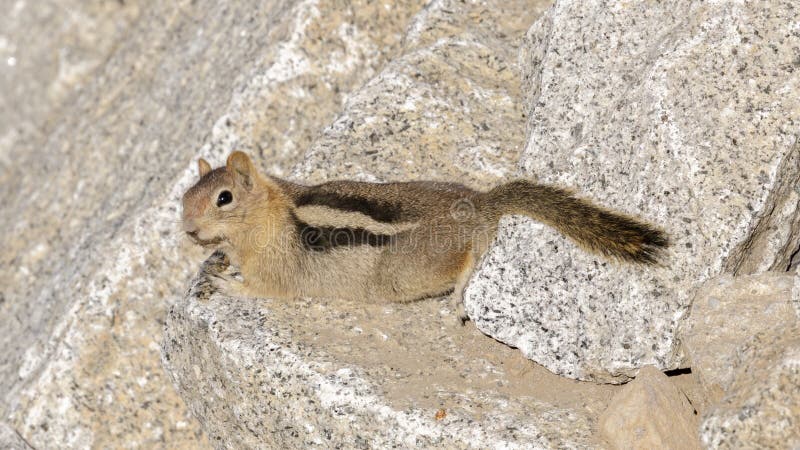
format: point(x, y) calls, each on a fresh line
point(330, 374)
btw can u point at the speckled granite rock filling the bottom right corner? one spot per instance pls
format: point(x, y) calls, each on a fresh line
point(761, 408)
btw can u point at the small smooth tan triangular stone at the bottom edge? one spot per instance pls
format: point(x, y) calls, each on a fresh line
point(650, 413)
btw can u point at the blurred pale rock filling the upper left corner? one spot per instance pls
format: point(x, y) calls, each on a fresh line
point(49, 49)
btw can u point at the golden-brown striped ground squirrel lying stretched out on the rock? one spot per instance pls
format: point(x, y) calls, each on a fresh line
point(381, 241)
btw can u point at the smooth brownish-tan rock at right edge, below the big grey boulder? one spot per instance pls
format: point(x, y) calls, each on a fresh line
point(726, 313)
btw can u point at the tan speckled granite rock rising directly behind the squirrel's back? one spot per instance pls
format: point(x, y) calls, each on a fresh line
point(446, 109)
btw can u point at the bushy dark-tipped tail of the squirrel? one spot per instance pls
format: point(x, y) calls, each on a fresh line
point(592, 227)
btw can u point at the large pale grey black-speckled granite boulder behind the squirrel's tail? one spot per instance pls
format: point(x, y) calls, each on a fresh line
point(682, 113)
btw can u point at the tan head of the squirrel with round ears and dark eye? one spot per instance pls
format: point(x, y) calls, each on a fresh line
point(220, 204)
